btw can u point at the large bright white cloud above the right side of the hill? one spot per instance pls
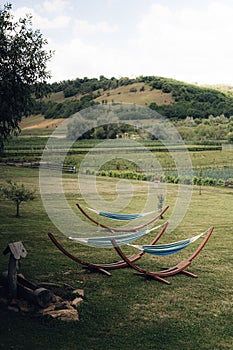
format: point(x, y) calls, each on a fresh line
point(193, 45)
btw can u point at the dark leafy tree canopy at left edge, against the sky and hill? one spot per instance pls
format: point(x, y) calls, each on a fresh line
point(23, 71)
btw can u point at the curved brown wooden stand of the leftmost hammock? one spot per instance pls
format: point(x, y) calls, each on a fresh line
point(104, 267)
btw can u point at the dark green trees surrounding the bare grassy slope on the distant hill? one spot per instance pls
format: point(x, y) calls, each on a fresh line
point(189, 100)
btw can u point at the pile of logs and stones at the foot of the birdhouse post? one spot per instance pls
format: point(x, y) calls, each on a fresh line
point(45, 299)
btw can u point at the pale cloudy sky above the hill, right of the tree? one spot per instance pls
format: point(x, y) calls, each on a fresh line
point(186, 40)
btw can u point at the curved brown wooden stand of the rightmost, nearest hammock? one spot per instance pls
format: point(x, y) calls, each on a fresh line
point(167, 272)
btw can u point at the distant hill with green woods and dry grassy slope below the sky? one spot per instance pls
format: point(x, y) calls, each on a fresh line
point(171, 98)
